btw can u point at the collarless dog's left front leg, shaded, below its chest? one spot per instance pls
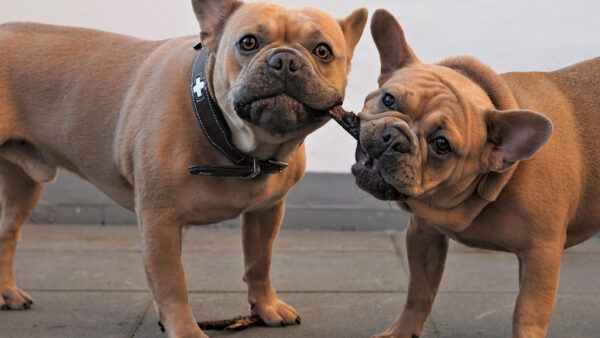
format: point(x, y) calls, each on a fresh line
point(426, 251)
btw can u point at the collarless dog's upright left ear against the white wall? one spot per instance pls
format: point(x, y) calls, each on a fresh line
point(394, 52)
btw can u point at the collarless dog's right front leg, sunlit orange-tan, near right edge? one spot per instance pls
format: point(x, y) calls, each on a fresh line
point(539, 270)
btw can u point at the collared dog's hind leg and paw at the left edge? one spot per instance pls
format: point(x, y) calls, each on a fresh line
point(19, 195)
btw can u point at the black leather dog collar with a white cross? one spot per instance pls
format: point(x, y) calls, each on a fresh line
point(218, 133)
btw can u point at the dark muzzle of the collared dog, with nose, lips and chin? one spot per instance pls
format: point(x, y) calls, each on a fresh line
point(282, 92)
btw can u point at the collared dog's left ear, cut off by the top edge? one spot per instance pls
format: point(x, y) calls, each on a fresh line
point(212, 15)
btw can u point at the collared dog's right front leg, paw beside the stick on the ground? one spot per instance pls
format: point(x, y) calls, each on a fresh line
point(259, 231)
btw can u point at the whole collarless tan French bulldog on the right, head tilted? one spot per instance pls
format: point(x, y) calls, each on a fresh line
point(474, 156)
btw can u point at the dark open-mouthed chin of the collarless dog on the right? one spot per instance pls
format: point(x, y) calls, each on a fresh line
point(368, 177)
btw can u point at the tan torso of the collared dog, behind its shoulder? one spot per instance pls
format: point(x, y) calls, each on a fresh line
point(57, 81)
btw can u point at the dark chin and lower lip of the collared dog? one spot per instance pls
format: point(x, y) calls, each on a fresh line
point(279, 114)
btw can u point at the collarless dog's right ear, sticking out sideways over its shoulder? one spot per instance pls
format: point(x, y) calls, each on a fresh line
point(514, 135)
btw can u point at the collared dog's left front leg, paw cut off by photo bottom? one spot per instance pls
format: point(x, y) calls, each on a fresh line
point(160, 235)
